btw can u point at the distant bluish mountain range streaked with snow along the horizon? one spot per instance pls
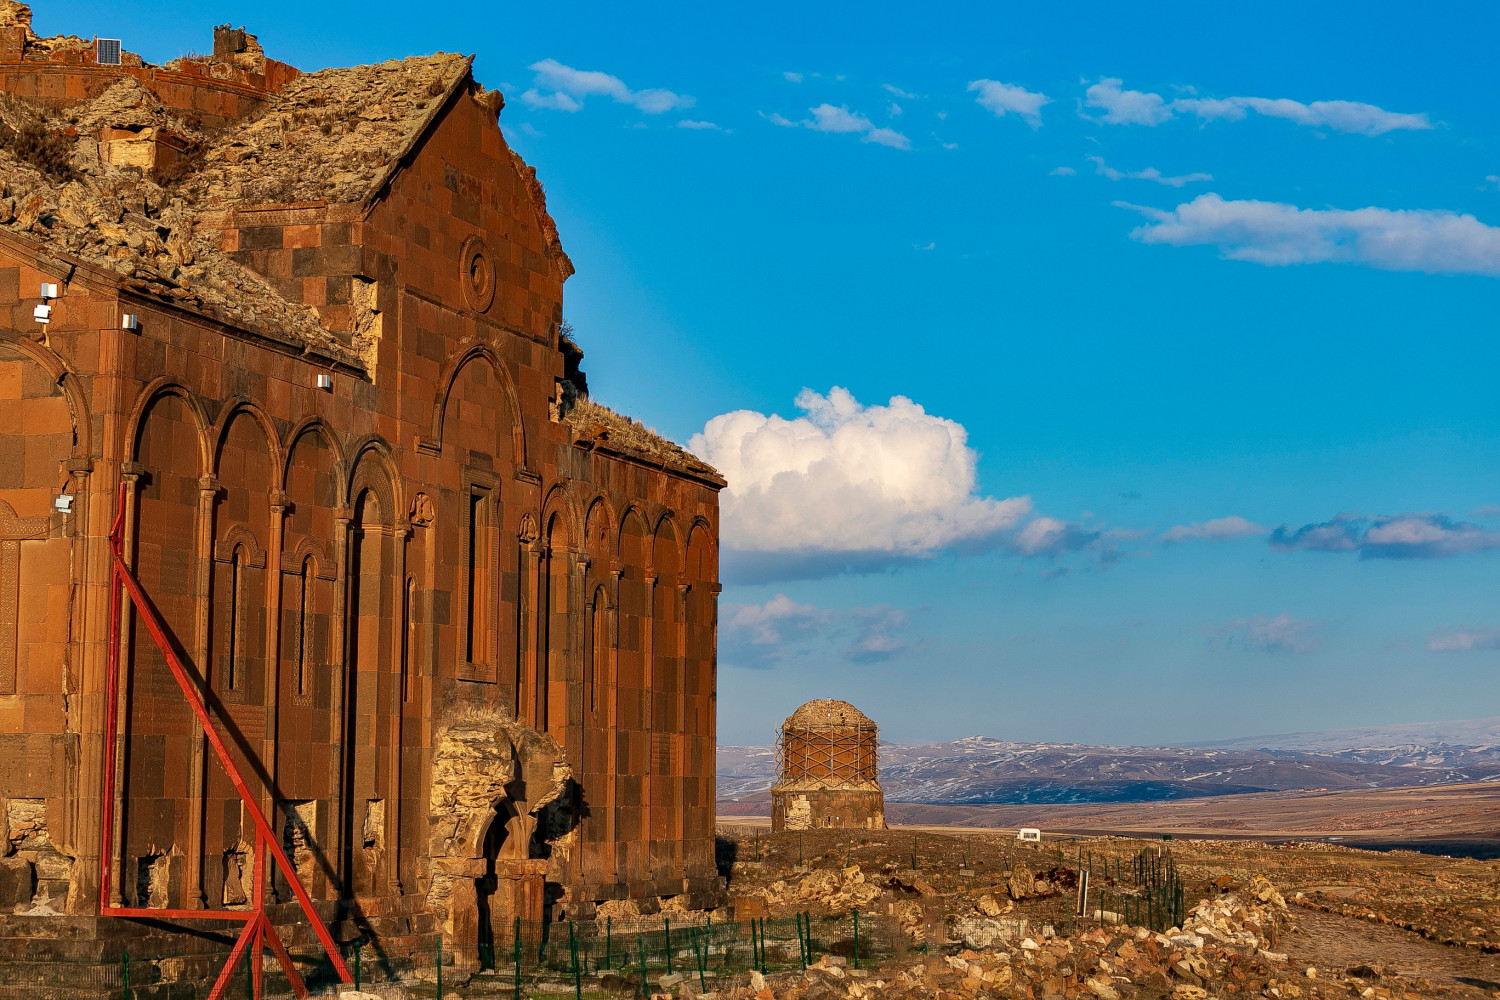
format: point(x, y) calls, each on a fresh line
point(980, 771)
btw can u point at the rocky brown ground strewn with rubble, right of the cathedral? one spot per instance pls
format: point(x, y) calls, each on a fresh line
point(1291, 923)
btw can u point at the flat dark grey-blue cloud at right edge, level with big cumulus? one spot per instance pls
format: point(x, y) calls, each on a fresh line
point(1390, 537)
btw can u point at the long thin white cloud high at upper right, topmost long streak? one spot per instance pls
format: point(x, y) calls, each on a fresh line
point(1118, 106)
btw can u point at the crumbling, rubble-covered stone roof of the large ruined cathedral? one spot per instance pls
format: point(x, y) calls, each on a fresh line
point(335, 137)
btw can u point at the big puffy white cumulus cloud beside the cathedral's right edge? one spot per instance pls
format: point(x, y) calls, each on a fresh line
point(875, 482)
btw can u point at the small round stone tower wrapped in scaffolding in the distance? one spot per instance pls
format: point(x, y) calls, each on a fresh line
point(830, 771)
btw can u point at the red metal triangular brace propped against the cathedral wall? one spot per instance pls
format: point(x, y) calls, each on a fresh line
point(259, 933)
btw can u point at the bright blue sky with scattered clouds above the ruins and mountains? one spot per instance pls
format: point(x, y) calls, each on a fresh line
point(1190, 310)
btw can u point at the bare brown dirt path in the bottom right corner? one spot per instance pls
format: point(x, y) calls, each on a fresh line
point(1334, 944)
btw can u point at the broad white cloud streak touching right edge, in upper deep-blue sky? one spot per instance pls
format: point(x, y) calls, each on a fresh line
point(1279, 235)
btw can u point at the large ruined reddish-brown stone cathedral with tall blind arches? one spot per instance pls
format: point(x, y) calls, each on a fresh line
point(455, 620)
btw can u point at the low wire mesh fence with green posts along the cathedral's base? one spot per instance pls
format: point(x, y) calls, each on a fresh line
point(526, 960)
